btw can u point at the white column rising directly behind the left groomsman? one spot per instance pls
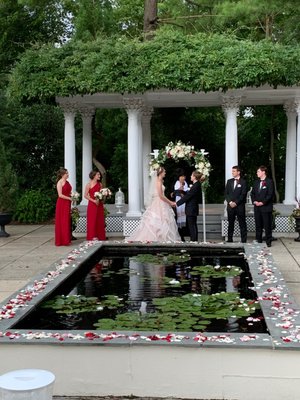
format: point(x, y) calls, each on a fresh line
point(230, 105)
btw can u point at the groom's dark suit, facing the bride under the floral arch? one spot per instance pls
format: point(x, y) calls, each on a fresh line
point(192, 199)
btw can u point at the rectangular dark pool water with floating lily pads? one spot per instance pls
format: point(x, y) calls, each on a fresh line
point(154, 289)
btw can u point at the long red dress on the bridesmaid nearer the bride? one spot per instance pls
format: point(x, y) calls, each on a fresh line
point(95, 217)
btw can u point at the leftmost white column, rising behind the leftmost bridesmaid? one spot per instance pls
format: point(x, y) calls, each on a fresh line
point(69, 145)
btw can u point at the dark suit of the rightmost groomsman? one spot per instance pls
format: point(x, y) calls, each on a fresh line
point(263, 214)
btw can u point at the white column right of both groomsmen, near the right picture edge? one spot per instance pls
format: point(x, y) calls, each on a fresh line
point(290, 157)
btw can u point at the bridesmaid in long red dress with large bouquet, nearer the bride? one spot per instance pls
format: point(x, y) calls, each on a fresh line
point(95, 209)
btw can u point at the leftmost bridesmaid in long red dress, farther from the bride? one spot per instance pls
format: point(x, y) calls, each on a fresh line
point(63, 209)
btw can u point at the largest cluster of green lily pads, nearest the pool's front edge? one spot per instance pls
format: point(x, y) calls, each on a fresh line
point(186, 313)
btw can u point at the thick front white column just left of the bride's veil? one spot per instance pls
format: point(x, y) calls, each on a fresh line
point(134, 109)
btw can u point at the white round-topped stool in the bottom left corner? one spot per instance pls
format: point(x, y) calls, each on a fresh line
point(27, 384)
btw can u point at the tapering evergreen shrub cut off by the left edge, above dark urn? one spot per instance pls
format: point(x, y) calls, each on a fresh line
point(8, 183)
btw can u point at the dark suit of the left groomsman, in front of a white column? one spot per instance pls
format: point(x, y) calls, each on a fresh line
point(238, 195)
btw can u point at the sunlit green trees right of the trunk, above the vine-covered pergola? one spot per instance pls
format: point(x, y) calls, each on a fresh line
point(247, 19)
